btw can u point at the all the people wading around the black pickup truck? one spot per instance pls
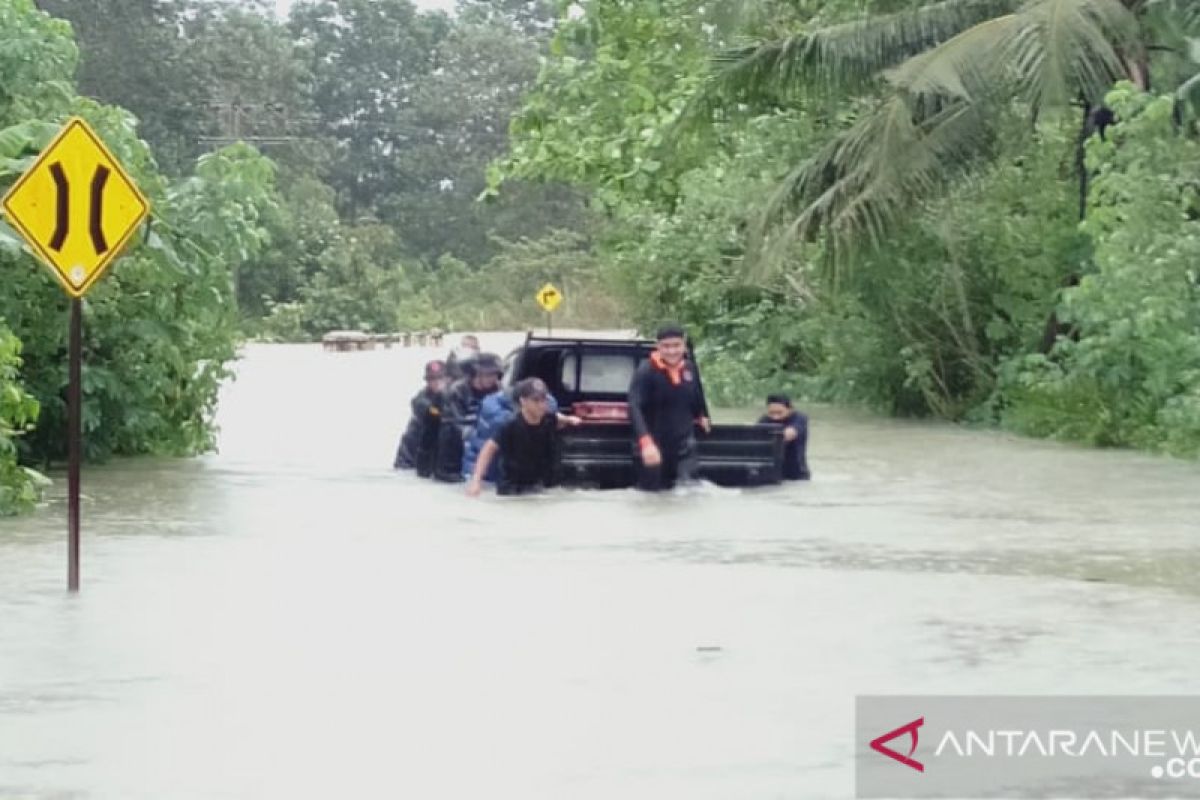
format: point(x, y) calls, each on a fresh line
point(466, 429)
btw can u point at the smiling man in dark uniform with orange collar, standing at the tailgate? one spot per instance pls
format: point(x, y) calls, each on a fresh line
point(665, 406)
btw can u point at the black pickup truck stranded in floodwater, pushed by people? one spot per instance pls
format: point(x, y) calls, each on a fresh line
point(590, 378)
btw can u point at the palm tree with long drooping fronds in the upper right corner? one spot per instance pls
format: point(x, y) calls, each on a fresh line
point(949, 73)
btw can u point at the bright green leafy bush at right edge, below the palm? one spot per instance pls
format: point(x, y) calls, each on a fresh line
point(1131, 376)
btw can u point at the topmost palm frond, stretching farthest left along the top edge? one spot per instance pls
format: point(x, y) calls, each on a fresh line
point(839, 58)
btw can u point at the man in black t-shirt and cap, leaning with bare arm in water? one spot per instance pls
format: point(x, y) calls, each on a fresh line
point(527, 446)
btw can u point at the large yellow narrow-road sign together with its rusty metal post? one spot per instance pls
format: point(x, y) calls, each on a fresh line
point(76, 208)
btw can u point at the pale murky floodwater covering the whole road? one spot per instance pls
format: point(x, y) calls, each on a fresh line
point(292, 619)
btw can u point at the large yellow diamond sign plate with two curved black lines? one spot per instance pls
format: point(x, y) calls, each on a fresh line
point(76, 207)
